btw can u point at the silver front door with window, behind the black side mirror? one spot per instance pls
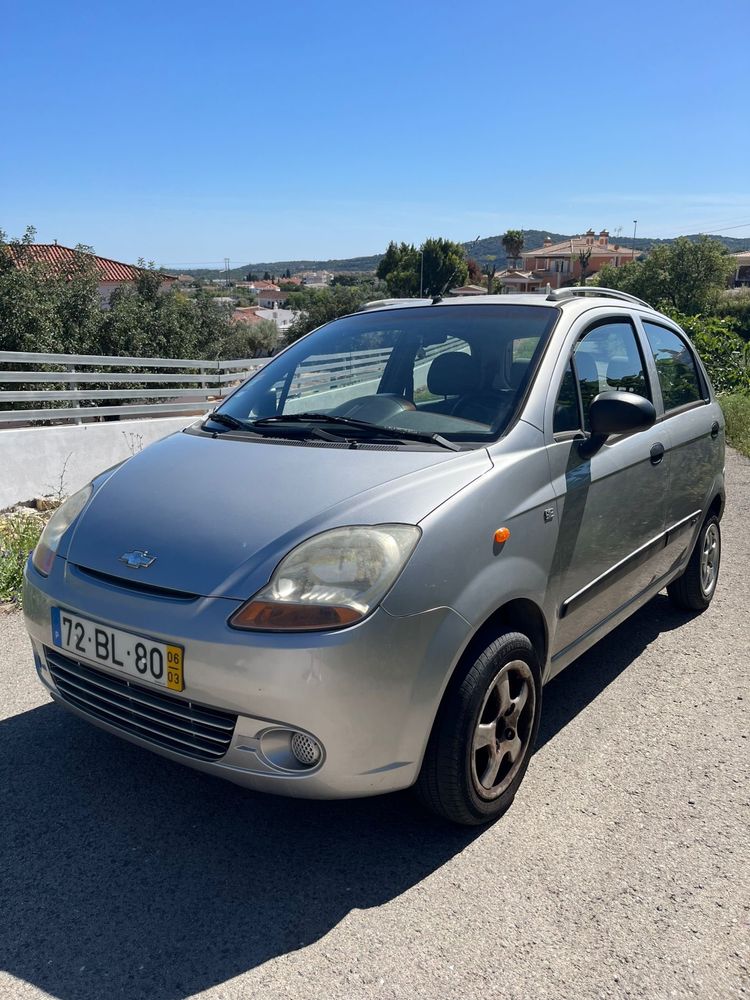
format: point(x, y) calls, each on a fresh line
point(612, 504)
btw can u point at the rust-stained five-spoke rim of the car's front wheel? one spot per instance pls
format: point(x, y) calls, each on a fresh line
point(503, 730)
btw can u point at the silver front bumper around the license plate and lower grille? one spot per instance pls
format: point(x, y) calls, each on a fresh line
point(368, 693)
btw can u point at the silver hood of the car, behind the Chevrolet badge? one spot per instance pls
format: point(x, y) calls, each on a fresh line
point(219, 513)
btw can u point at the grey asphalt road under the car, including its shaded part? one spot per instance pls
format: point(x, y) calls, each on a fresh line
point(622, 870)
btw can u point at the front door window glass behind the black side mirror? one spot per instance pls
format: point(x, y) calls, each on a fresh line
point(608, 357)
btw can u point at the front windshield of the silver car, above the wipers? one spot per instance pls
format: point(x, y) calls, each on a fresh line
point(458, 372)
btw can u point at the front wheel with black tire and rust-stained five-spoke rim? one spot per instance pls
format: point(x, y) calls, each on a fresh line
point(469, 775)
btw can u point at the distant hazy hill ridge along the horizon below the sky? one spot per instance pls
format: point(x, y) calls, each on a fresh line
point(484, 251)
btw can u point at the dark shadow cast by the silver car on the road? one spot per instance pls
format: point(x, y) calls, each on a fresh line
point(127, 875)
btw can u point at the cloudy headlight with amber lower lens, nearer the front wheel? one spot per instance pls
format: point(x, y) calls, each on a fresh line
point(334, 579)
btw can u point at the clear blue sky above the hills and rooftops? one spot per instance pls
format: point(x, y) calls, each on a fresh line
point(186, 133)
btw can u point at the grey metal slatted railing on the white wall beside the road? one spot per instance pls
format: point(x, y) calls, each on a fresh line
point(184, 385)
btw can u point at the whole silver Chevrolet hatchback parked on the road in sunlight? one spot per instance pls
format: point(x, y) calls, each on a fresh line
point(357, 573)
